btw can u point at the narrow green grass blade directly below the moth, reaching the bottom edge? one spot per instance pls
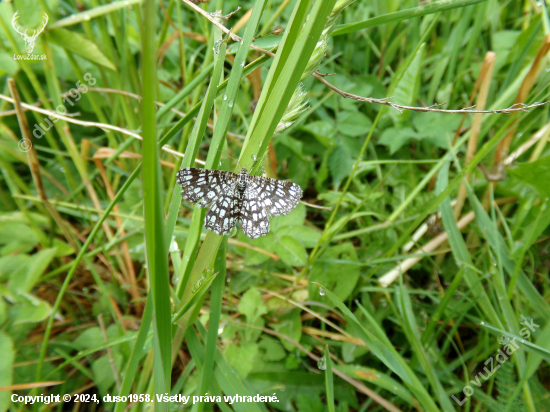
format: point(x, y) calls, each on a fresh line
point(213, 322)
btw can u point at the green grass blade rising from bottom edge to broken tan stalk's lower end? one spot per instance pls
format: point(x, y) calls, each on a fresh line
point(413, 337)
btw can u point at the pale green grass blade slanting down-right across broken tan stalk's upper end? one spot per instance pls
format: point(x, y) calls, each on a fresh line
point(460, 250)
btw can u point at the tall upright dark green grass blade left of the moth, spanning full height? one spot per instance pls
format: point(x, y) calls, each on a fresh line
point(156, 251)
